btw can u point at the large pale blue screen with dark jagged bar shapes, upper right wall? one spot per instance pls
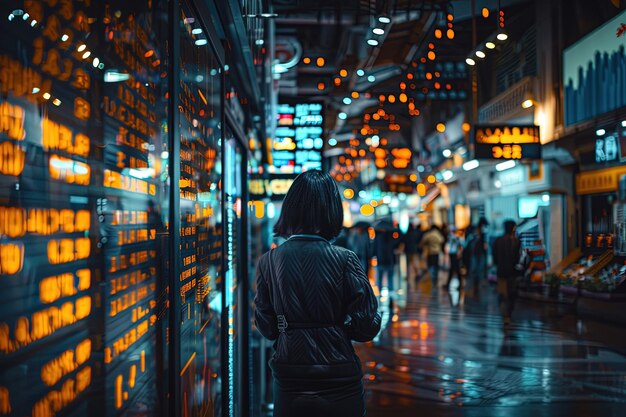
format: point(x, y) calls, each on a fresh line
point(593, 73)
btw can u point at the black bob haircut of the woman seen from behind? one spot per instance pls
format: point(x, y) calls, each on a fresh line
point(312, 206)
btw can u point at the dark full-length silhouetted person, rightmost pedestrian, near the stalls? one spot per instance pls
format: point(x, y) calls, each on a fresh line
point(506, 257)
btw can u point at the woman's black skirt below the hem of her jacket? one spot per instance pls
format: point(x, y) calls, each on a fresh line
point(335, 400)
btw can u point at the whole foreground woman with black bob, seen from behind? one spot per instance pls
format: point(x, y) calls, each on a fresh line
point(312, 300)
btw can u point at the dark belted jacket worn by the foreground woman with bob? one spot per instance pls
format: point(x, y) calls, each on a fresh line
point(317, 283)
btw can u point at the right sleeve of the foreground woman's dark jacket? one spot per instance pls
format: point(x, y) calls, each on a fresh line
point(362, 305)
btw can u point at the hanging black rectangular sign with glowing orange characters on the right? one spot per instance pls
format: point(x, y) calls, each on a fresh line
point(507, 142)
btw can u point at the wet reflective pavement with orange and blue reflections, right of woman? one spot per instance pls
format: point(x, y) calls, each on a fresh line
point(445, 355)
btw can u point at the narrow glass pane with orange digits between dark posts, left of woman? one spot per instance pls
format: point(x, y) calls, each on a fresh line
point(201, 227)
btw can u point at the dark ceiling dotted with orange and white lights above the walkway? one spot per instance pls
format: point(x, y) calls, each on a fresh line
point(414, 78)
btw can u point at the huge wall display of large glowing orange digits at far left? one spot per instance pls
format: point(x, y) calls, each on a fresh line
point(82, 220)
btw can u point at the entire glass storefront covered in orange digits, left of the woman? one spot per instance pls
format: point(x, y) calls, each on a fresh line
point(123, 224)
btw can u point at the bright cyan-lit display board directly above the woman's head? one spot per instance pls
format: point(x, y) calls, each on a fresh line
point(298, 144)
